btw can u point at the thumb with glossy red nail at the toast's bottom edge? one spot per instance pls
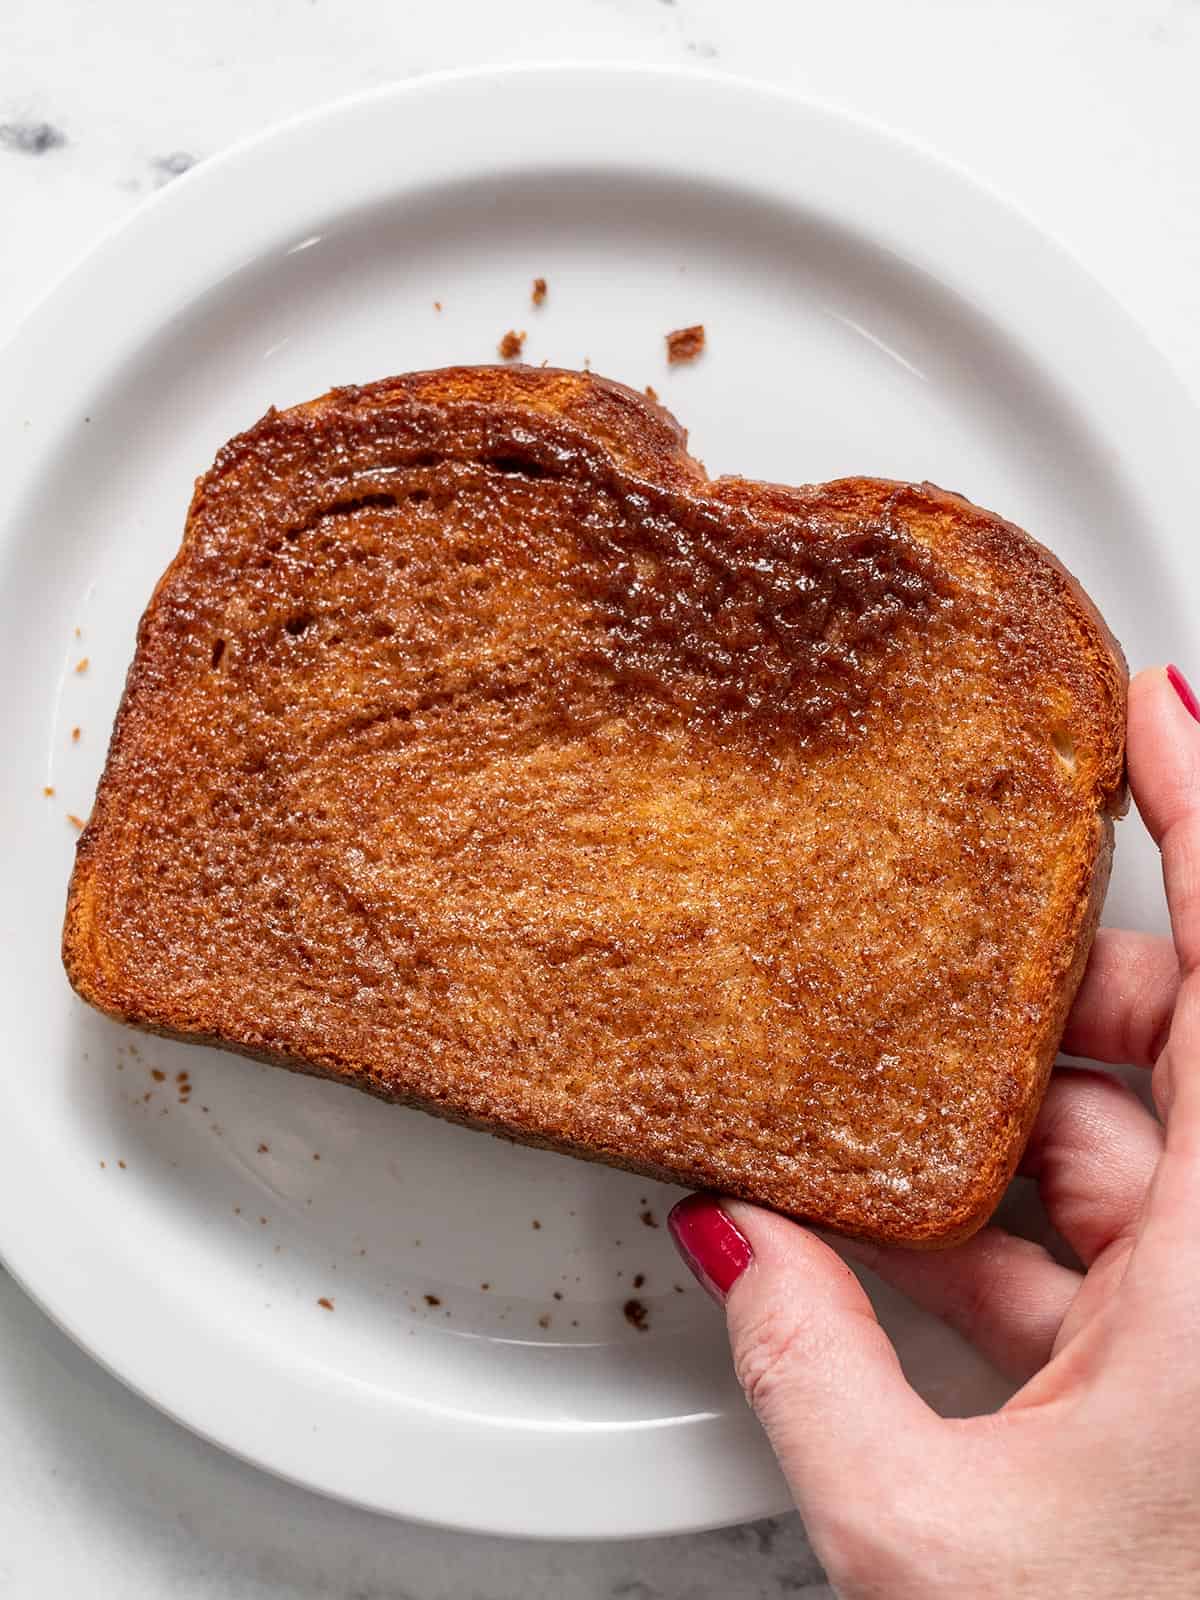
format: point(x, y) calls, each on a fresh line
point(812, 1358)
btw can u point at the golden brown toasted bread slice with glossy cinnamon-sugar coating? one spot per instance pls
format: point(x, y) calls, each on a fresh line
point(481, 753)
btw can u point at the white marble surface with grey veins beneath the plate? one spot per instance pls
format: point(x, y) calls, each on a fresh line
point(1084, 113)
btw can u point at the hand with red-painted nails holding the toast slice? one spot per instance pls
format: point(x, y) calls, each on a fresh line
point(1087, 1482)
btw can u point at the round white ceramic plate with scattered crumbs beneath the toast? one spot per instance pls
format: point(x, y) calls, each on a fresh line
point(870, 311)
